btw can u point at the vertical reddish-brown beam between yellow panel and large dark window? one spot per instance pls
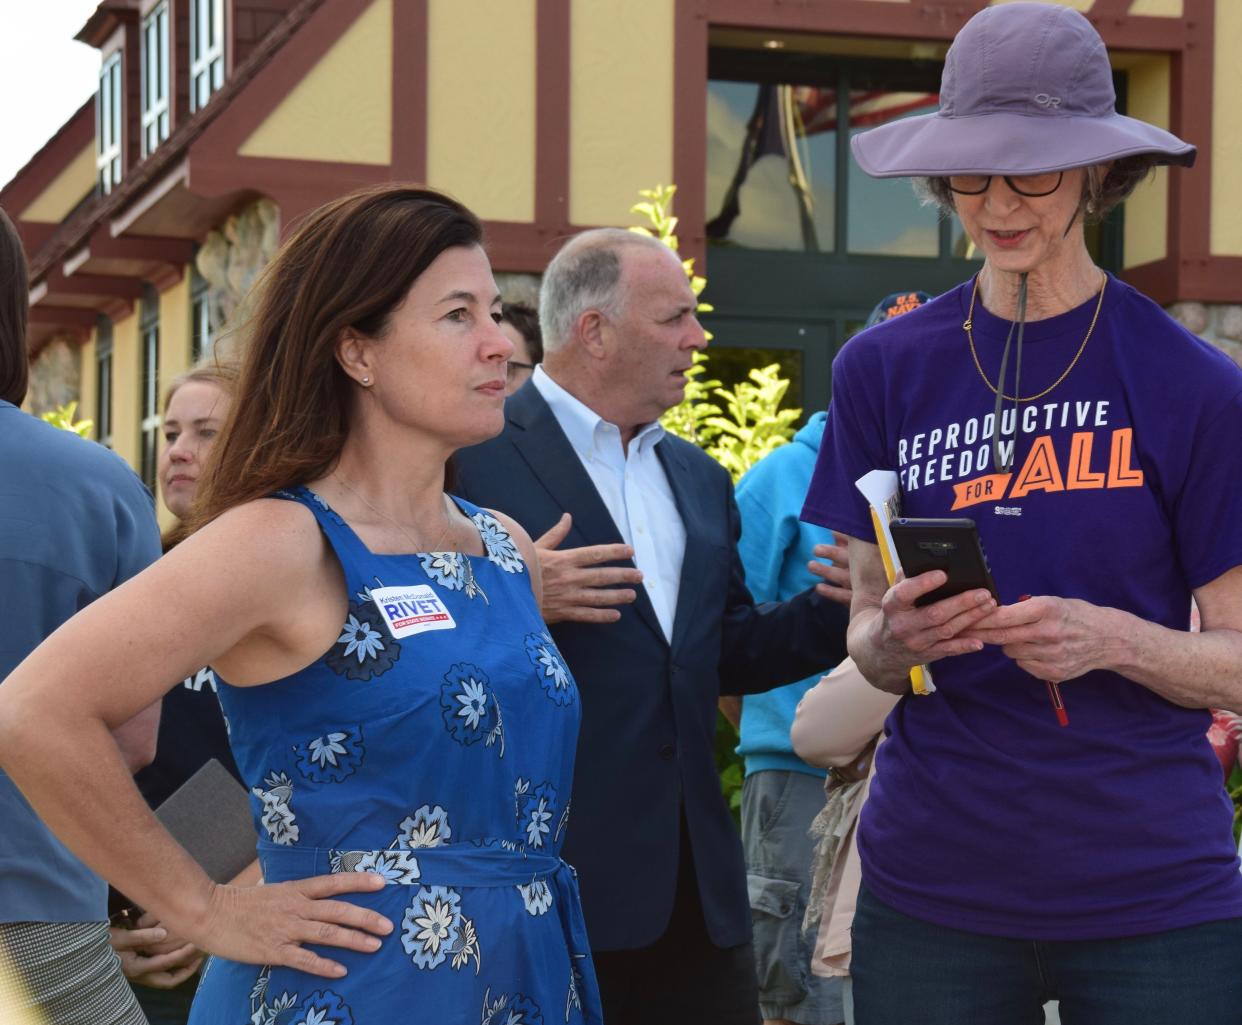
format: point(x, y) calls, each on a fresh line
point(690, 129)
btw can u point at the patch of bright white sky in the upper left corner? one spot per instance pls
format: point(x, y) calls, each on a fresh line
point(45, 74)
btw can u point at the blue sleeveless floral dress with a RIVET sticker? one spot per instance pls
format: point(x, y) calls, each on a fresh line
point(434, 744)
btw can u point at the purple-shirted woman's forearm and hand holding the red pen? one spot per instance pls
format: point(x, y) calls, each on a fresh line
point(1061, 639)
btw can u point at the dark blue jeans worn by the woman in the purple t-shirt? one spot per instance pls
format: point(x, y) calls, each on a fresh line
point(906, 970)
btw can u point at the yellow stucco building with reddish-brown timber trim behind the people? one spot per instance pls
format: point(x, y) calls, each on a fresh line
point(218, 124)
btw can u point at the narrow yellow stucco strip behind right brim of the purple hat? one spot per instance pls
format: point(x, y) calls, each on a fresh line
point(1147, 212)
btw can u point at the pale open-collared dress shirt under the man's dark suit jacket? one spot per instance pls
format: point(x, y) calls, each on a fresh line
point(635, 491)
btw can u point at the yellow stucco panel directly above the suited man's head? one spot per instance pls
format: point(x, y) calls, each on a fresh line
point(622, 106)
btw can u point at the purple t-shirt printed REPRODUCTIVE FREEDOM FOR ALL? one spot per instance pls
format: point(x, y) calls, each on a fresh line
point(1126, 493)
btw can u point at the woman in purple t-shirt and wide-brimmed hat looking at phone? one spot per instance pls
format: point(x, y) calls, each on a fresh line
point(1013, 857)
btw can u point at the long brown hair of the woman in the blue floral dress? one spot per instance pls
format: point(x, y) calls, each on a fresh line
point(347, 268)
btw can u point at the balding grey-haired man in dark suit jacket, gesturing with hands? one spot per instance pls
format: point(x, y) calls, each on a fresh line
point(658, 854)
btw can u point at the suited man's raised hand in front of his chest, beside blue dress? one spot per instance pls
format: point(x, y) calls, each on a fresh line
point(577, 586)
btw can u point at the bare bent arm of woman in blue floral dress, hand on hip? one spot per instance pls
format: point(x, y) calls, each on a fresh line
point(117, 658)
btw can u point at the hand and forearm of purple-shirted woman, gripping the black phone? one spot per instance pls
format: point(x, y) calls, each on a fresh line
point(889, 634)
